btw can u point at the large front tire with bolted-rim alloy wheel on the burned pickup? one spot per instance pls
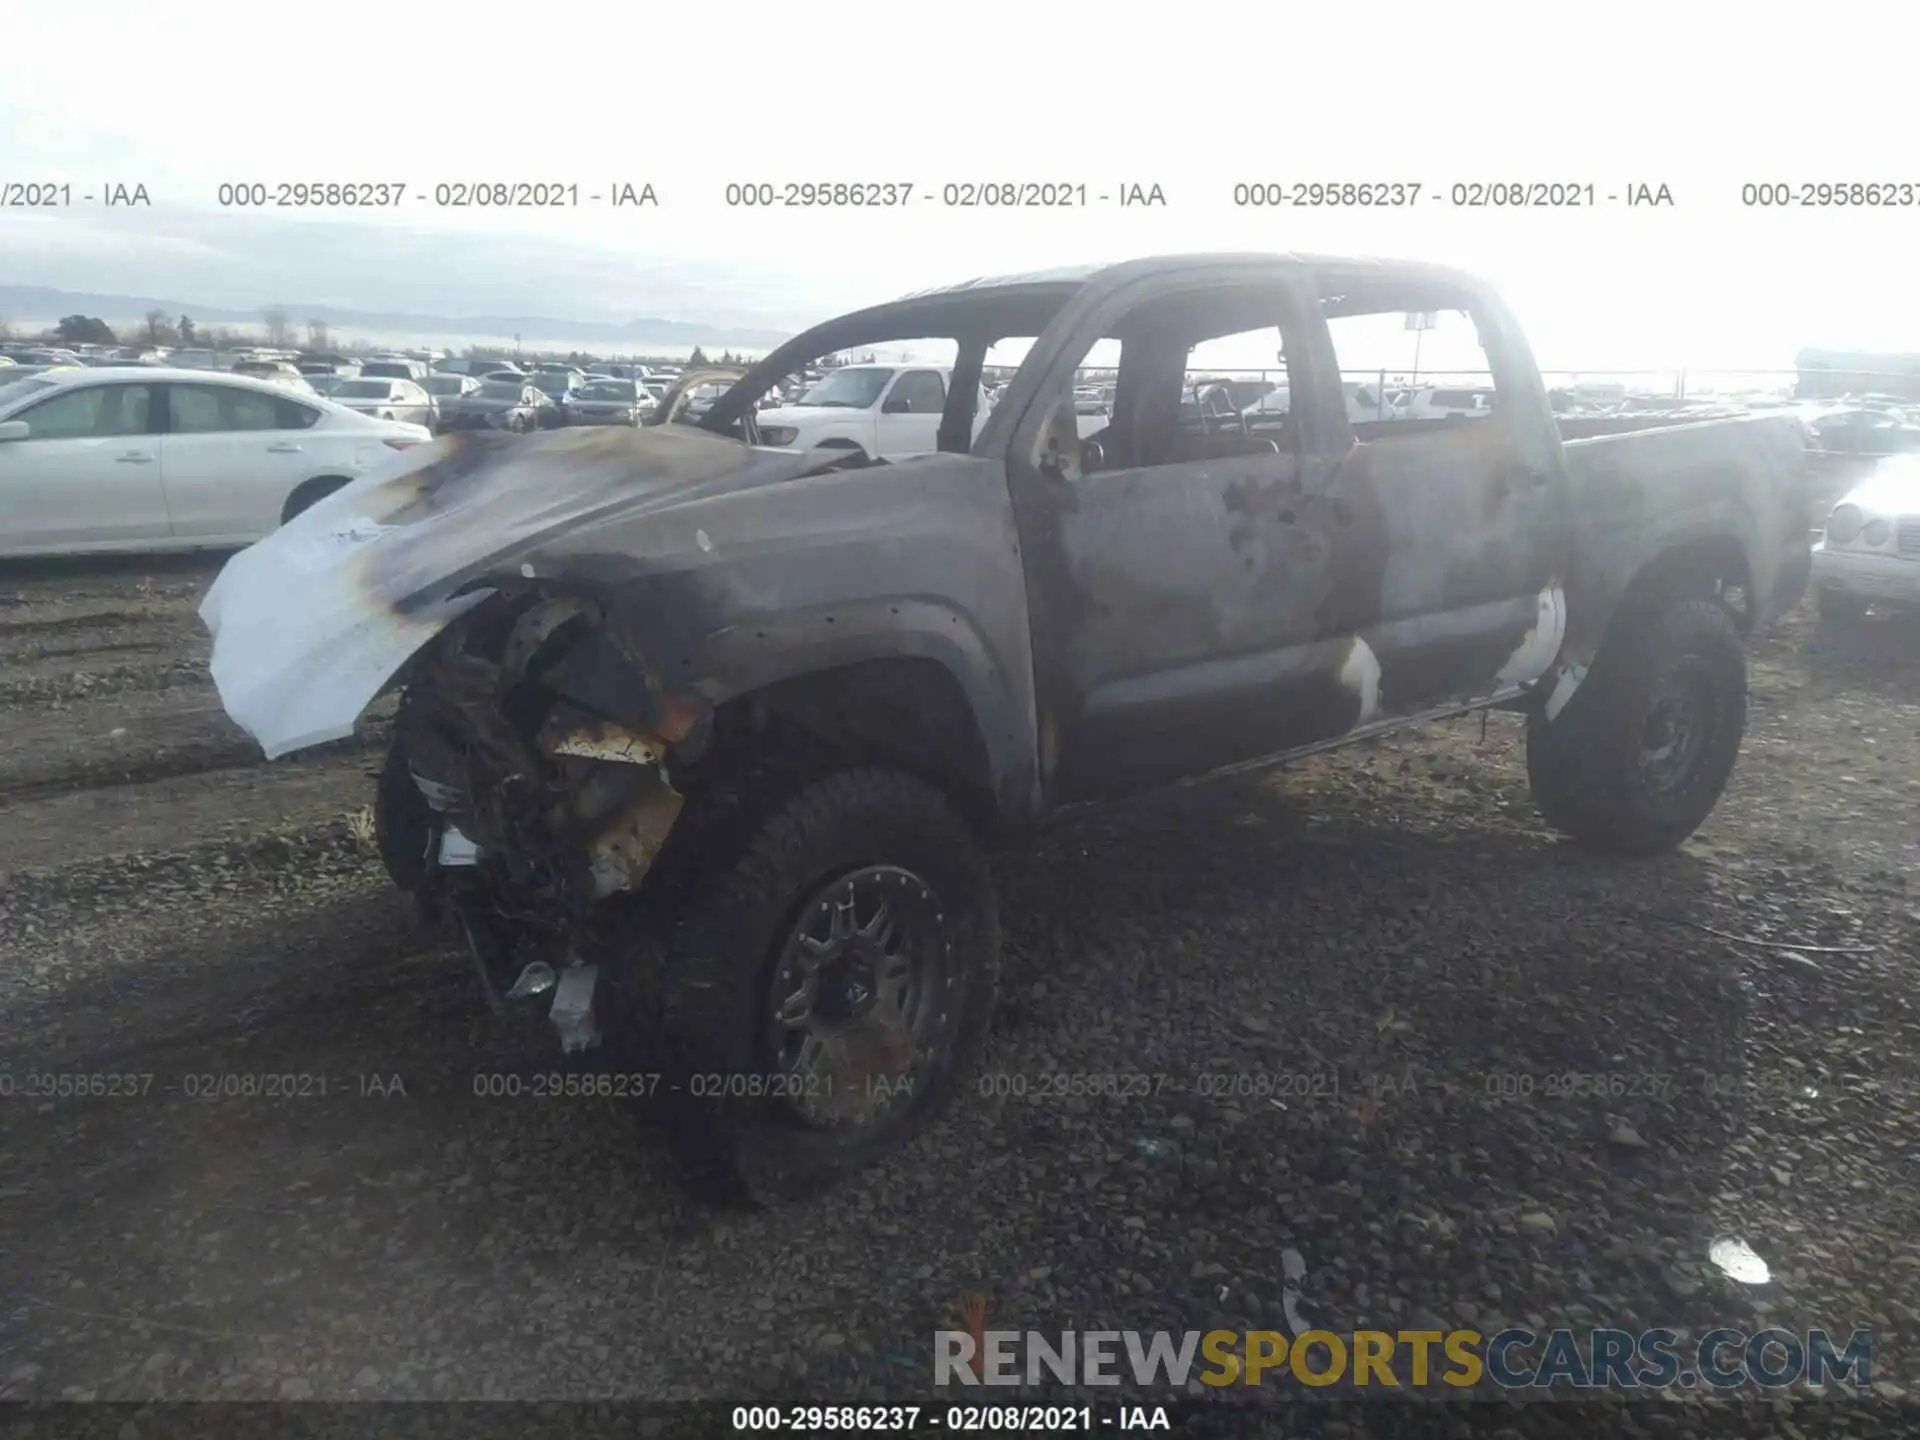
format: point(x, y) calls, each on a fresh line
point(828, 984)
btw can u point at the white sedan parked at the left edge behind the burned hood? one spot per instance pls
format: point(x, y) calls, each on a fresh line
point(156, 460)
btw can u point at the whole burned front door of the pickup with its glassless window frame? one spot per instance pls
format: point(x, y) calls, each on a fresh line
point(1176, 615)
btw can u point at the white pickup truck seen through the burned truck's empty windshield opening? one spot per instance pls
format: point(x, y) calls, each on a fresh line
point(882, 412)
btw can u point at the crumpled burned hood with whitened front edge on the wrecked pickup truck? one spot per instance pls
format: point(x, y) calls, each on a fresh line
point(314, 621)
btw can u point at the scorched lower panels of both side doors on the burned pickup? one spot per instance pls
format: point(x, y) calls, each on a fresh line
point(1216, 602)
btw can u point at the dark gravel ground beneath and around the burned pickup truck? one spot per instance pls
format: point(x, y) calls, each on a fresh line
point(1356, 988)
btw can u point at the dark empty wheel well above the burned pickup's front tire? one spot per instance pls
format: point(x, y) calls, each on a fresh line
point(905, 713)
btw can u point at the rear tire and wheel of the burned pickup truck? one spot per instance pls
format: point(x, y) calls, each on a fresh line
point(1643, 752)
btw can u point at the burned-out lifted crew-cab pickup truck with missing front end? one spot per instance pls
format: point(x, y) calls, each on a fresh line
point(700, 740)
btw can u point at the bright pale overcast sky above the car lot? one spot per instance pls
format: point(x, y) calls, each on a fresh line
point(1702, 99)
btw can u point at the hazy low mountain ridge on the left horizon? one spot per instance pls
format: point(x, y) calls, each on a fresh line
point(41, 304)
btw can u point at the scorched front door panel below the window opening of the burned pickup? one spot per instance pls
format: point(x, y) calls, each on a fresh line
point(1199, 640)
